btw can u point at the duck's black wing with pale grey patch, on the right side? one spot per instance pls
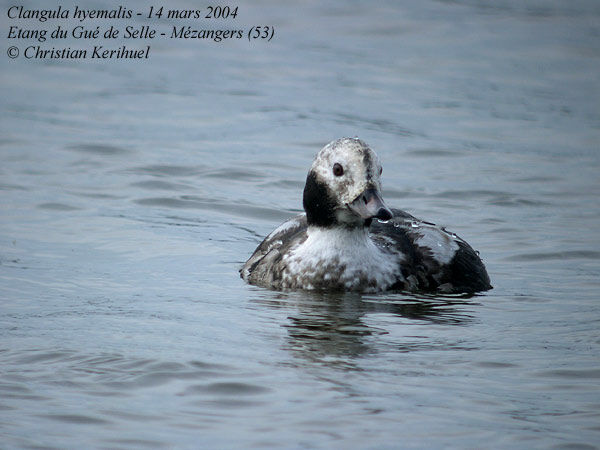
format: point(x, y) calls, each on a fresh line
point(434, 259)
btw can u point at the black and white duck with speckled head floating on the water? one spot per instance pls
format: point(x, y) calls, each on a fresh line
point(349, 240)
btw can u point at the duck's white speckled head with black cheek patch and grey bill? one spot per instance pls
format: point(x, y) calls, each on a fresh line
point(343, 186)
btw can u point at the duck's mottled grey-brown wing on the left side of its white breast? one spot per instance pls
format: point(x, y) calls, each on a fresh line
point(264, 267)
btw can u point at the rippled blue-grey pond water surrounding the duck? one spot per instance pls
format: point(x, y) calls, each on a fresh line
point(132, 192)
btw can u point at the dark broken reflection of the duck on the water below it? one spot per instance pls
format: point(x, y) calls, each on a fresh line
point(336, 328)
